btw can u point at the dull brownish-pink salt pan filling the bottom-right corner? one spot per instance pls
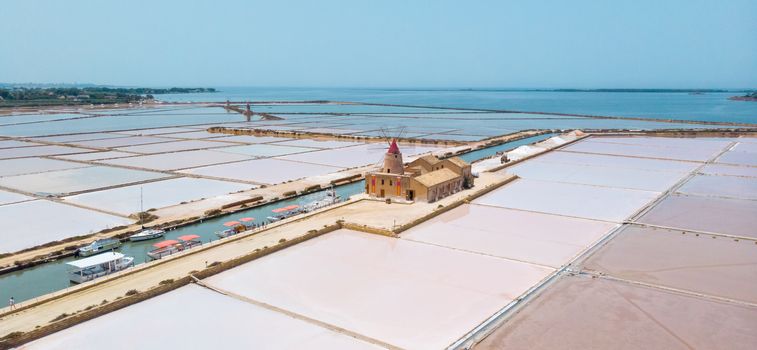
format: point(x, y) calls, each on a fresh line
point(586, 313)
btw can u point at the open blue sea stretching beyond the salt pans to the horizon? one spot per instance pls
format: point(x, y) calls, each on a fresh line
point(713, 106)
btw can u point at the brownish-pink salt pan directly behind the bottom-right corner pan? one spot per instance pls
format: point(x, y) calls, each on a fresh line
point(720, 267)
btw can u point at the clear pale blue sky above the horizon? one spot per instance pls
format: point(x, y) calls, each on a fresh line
point(579, 43)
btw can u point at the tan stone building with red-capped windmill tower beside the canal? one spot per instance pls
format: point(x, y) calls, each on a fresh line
point(427, 178)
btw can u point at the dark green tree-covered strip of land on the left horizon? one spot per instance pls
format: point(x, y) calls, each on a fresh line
point(65, 96)
